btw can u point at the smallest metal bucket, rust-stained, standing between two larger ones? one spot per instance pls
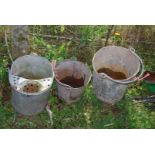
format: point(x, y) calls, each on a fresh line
point(71, 78)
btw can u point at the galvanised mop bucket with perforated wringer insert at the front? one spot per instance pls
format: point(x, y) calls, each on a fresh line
point(30, 77)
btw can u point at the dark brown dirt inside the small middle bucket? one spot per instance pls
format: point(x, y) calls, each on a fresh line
point(72, 81)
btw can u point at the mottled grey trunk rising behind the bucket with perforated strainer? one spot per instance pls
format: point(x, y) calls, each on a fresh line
point(19, 40)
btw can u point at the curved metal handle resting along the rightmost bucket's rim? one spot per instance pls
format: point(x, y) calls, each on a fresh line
point(137, 78)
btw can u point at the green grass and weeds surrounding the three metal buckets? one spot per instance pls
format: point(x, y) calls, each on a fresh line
point(89, 112)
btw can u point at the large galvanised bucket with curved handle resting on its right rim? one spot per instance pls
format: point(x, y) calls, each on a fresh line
point(119, 60)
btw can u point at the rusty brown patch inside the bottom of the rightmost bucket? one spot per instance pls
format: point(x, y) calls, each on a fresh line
point(117, 75)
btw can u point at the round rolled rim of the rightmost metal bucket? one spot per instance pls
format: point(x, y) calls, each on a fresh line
point(105, 75)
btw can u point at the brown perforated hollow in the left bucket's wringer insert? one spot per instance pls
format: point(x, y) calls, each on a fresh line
point(31, 88)
